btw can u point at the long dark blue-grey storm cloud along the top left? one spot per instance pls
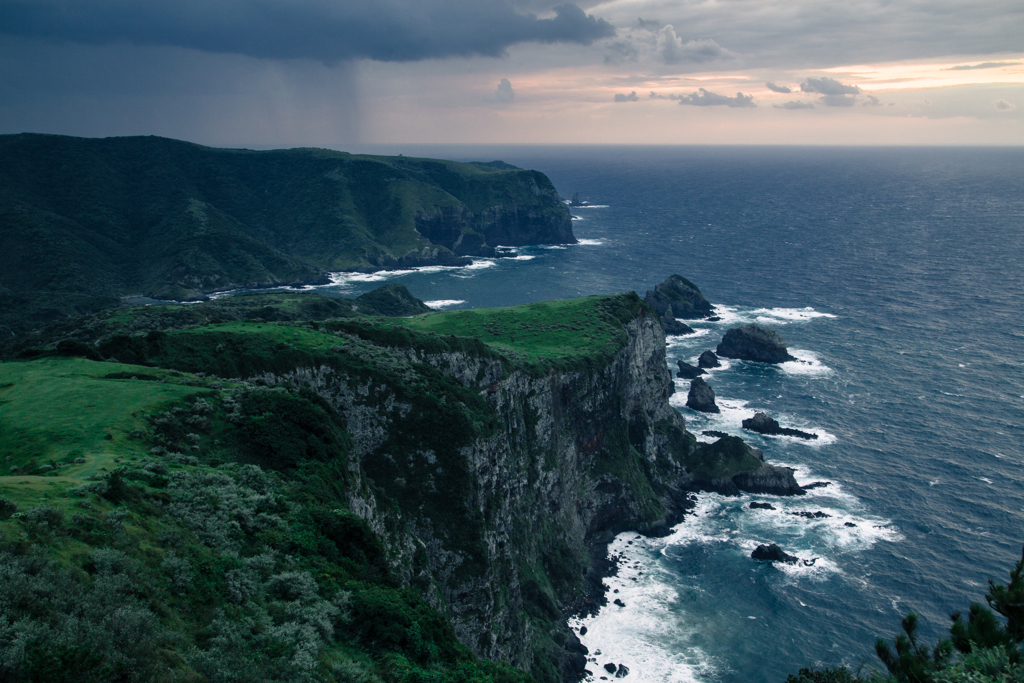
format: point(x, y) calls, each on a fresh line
point(330, 32)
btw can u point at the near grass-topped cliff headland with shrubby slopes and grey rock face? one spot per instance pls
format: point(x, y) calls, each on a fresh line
point(420, 494)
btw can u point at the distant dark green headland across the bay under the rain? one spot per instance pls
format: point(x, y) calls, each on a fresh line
point(84, 223)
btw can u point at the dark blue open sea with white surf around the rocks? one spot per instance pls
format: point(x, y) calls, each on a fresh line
point(897, 277)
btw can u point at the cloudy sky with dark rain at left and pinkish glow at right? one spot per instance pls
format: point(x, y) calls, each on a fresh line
point(349, 73)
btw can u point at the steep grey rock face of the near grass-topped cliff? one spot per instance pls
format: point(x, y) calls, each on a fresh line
point(577, 456)
